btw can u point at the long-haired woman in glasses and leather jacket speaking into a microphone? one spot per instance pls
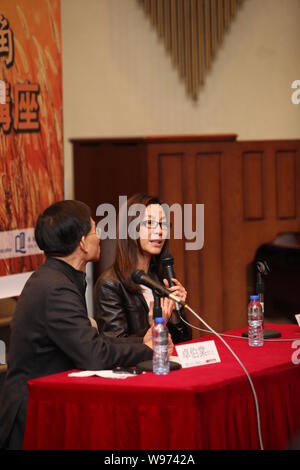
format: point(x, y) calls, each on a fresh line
point(123, 308)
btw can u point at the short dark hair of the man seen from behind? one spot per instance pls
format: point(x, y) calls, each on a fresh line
point(60, 227)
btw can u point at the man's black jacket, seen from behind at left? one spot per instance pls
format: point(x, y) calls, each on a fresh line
point(51, 333)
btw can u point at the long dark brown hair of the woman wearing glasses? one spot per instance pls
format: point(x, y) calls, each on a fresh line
point(126, 249)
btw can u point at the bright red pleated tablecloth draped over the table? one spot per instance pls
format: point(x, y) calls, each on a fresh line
point(206, 407)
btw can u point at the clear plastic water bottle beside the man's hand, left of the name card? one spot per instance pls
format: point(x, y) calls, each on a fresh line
point(160, 341)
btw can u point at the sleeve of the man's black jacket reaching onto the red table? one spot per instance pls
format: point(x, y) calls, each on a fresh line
point(70, 330)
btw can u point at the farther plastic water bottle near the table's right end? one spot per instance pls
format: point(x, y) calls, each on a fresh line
point(255, 322)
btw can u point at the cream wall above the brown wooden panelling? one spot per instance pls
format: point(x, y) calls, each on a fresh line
point(119, 81)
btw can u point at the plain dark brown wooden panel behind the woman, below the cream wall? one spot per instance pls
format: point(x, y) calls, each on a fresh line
point(103, 171)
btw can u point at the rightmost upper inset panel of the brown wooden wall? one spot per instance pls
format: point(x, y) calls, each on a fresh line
point(286, 181)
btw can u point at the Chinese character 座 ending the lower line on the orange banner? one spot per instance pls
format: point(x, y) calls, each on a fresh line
point(26, 107)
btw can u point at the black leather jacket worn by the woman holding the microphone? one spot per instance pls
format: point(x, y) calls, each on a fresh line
point(121, 313)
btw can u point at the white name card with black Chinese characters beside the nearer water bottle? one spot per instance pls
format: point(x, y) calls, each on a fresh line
point(198, 354)
